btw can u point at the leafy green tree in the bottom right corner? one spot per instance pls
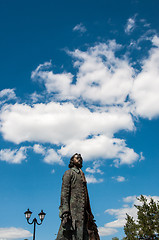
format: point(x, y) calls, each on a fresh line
point(147, 224)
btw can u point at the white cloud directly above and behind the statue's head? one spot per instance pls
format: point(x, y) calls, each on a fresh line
point(102, 147)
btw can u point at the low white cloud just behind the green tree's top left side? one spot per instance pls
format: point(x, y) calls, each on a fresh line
point(120, 214)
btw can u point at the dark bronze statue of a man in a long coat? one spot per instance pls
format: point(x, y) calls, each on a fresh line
point(77, 220)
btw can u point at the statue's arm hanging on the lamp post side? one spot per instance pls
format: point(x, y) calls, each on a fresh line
point(65, 194)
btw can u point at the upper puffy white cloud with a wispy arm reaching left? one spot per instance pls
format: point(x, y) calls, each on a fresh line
point(102, 77)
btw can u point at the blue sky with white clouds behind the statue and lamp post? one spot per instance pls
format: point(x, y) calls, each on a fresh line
point(77, 76)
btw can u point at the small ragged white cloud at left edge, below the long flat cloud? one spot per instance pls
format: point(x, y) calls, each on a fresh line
point(15, 156)
